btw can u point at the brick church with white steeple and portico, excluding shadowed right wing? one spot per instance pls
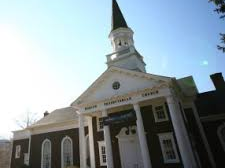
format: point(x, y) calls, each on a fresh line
point(127, 118)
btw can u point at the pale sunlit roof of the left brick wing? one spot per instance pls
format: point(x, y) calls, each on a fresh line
point(57, 116)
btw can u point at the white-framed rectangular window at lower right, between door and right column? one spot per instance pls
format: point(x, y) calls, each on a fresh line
point(168, 148)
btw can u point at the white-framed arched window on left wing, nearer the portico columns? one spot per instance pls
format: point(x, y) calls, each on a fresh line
point(67, 152)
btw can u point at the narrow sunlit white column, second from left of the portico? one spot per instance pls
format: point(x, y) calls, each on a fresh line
point(91, 142)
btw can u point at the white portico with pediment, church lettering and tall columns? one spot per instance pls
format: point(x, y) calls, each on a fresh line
point(114, 104)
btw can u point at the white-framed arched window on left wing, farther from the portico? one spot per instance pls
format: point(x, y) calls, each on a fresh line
point(46, 154)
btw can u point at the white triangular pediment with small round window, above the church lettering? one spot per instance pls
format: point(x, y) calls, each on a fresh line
point(129, 81)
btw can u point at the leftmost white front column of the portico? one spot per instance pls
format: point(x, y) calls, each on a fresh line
point(82, 142)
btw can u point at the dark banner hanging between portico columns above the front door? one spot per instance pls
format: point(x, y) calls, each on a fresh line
point(128, 117)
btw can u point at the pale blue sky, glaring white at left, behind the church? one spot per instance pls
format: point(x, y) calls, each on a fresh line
point(51, 51)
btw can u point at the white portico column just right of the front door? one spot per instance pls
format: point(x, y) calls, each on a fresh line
point(142, 137)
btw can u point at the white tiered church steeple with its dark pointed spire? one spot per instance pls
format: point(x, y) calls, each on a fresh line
point(121, 36)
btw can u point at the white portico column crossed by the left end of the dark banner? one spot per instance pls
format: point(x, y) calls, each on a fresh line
point(108, 144)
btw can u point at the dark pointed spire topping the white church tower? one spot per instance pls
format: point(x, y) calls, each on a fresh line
point(118, 20)
